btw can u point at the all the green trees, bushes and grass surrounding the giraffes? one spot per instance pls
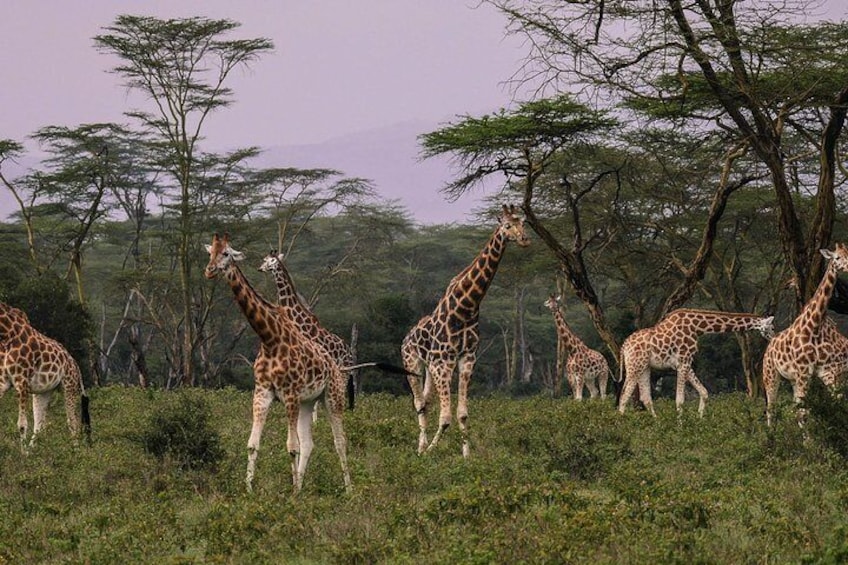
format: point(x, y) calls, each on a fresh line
point(674, 154)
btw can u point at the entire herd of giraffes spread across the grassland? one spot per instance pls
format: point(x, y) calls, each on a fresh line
point(301, 363)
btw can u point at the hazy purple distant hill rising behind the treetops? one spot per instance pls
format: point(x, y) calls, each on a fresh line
point(388, 156)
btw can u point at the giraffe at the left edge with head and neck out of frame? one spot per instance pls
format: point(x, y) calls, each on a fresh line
point(37, 365)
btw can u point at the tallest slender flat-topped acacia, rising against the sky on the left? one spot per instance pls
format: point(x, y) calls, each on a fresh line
point(182, 67)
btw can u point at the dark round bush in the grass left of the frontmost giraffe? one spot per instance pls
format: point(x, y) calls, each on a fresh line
point(179, 429)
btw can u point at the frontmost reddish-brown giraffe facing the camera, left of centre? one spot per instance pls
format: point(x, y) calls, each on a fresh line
point(289, 367)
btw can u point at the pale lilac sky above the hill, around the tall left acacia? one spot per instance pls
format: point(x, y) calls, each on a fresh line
point(338, 66)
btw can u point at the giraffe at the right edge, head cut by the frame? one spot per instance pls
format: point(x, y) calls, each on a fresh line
point(811, 345)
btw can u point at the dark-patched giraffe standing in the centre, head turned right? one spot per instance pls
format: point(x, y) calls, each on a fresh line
point(448, 337)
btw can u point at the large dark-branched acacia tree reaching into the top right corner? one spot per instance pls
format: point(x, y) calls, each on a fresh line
point(748, 71)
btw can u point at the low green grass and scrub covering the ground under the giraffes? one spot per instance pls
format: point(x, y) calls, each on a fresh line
point(549, 480)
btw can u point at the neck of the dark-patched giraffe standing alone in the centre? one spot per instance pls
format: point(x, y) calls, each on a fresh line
point(466, 291)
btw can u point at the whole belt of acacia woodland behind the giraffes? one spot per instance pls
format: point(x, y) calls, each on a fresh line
point(693, 161)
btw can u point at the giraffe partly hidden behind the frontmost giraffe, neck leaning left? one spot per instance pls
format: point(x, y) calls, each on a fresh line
point(294, 308)
